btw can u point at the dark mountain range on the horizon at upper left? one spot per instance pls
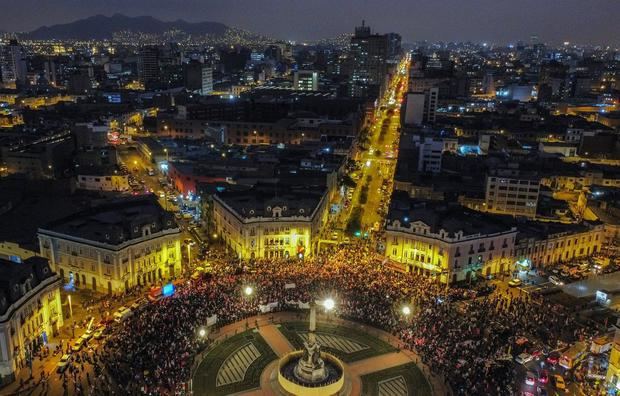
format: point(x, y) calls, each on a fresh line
point(101, 27)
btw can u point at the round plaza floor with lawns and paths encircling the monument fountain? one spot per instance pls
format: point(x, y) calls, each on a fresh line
point(243, 360)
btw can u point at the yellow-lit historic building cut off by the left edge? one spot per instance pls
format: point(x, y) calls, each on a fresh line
point(30, 311)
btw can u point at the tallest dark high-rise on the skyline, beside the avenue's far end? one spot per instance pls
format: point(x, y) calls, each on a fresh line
point(369, 53)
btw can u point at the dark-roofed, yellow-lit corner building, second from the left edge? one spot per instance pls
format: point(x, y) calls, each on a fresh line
point(114, 246)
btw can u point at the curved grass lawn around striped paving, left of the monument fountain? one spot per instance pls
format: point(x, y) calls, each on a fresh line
point(204, 382)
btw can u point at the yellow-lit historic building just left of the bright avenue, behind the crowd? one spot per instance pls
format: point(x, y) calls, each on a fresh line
point(275, 228)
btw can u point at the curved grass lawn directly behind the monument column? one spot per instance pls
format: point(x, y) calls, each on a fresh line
point(376, 346)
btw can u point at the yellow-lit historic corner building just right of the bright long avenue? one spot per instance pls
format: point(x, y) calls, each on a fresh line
point(435, 238)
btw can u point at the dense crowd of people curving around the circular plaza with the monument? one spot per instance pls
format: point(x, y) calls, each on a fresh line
point(466, 342)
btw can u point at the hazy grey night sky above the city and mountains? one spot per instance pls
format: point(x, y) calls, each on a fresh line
point(500, 21)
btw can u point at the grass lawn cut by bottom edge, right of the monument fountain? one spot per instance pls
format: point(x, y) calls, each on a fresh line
point(416, 383)
